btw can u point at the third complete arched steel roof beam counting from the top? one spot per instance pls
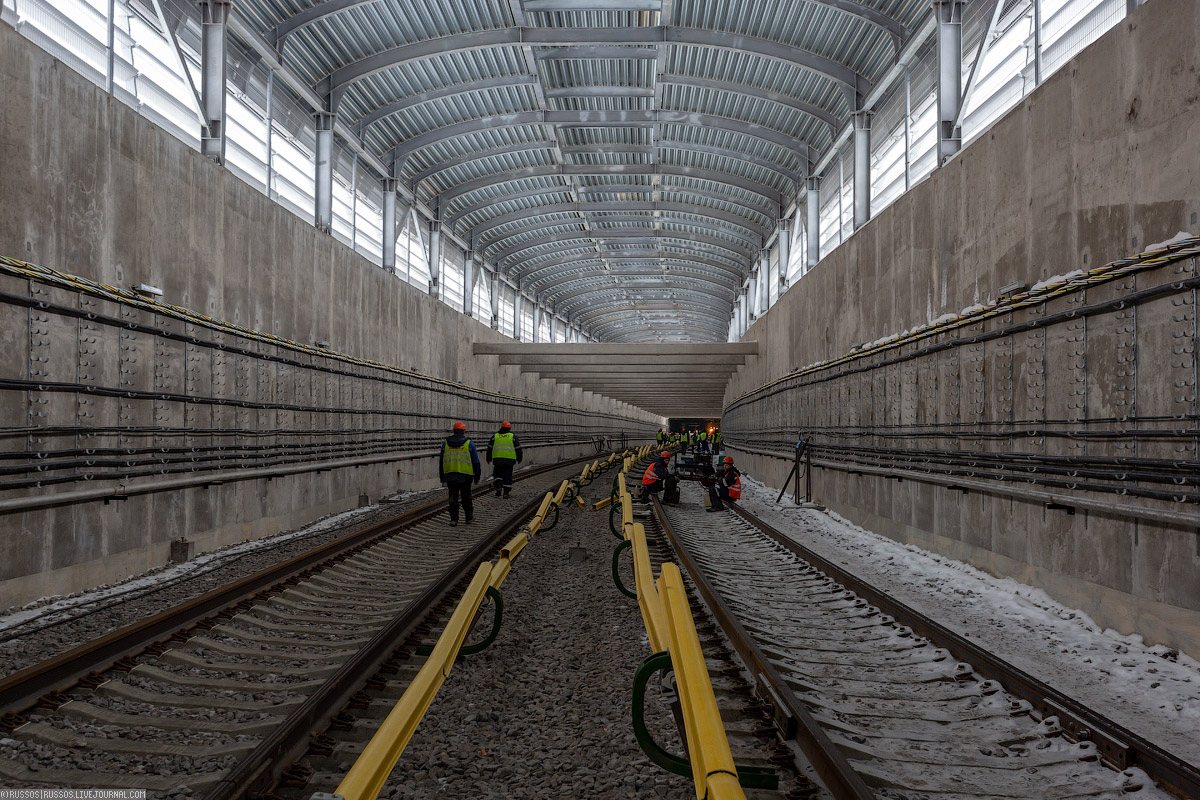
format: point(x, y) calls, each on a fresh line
point(601, 119)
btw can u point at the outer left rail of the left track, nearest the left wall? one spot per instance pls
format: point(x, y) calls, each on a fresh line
point(23, 689)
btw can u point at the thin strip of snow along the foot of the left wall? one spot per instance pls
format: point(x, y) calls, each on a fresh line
point(50, 607)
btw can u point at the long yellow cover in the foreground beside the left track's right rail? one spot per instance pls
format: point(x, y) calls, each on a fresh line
point(370, 772)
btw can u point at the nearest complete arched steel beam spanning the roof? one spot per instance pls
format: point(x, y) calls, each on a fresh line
point(572, 38)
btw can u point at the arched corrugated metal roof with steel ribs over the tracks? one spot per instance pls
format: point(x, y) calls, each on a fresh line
point(525, 134)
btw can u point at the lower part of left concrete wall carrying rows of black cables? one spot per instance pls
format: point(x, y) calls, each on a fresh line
point(200, 425)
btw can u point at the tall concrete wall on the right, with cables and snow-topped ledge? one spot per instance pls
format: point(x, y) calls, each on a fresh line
point(1094, 166)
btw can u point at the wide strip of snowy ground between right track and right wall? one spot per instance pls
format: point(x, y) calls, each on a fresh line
point(1154, 691)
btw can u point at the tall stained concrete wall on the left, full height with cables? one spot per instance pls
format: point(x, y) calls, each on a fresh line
point(92, 189)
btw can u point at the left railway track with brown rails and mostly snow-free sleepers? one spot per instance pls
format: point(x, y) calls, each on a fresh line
point(219, 696)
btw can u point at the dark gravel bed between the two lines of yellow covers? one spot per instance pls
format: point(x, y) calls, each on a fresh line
point(545, 712)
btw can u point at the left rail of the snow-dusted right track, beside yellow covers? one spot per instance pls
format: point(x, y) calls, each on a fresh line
point(791, 717)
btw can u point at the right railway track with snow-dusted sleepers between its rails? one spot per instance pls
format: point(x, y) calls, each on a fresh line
point(885, 702)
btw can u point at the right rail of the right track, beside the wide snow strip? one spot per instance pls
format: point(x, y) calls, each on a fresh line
point(1118, 745)
